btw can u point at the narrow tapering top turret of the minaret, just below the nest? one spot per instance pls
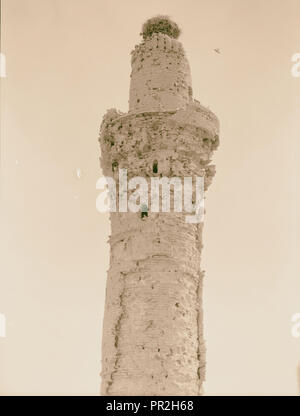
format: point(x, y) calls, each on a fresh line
point(160, 77)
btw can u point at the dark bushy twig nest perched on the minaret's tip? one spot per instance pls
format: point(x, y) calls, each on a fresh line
point(160, 24)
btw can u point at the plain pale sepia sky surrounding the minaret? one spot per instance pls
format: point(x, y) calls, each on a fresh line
point(67, 62)
